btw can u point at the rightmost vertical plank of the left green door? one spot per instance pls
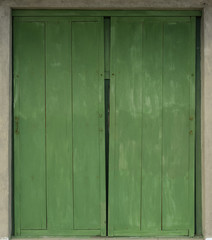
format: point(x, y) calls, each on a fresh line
point(87, 128)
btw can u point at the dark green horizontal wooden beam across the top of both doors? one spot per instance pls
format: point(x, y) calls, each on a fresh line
point(106, 13)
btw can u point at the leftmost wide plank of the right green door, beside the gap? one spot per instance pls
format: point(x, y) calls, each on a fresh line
point(125, 131)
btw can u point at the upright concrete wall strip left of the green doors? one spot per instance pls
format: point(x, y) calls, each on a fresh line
point(5, 129)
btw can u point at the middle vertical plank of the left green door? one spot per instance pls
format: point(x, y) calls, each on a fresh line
point(59, 125)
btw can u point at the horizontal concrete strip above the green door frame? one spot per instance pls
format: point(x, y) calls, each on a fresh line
point(108, 4)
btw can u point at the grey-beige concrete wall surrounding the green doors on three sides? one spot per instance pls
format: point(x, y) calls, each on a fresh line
point(6, 96)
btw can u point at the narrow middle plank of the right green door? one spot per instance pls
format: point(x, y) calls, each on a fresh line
point(152, 125)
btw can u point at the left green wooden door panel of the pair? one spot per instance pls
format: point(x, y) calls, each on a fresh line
point(59, 156)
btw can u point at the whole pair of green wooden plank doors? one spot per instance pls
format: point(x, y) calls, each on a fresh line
point(64, 185)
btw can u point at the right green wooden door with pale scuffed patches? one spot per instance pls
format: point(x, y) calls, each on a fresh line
point(152, 129)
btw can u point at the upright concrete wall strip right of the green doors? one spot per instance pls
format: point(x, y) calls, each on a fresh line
point(207, 122)
